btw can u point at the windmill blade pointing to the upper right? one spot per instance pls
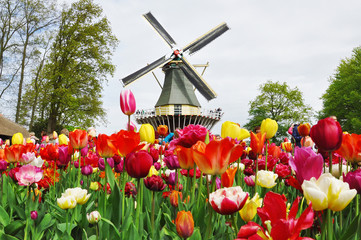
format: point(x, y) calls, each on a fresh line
point(206, 38)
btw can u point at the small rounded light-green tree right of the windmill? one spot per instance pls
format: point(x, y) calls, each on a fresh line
point(280, 103)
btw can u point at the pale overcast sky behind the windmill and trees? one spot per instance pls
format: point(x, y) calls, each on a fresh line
point(300, 42)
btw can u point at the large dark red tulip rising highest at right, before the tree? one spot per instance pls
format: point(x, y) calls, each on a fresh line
point(327, 134)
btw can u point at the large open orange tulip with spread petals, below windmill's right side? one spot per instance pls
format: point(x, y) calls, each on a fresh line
point(213, 158)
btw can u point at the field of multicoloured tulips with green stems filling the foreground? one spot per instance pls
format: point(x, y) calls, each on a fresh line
point(129, 185)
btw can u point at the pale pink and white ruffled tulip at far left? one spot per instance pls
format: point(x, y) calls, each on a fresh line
point(28, 174)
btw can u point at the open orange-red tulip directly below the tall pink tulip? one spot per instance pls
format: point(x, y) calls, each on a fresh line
point(126, 141)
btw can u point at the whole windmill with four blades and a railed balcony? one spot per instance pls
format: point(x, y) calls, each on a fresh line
point(178, 105)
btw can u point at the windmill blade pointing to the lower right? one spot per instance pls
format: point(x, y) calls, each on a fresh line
point(197, 80)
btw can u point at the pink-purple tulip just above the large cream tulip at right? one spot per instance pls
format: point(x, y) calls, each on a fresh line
point(306, 164)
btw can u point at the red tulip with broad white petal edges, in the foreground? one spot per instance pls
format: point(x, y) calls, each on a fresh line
point(227, 201)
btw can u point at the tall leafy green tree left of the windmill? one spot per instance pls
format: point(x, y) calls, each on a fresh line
point(79, 62)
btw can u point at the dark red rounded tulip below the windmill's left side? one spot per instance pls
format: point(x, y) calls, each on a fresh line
point(138, 164)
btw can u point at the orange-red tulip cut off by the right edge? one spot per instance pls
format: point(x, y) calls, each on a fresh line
point(351, 147)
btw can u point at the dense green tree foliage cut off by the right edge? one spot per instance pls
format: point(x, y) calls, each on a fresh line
point(343, 96)
